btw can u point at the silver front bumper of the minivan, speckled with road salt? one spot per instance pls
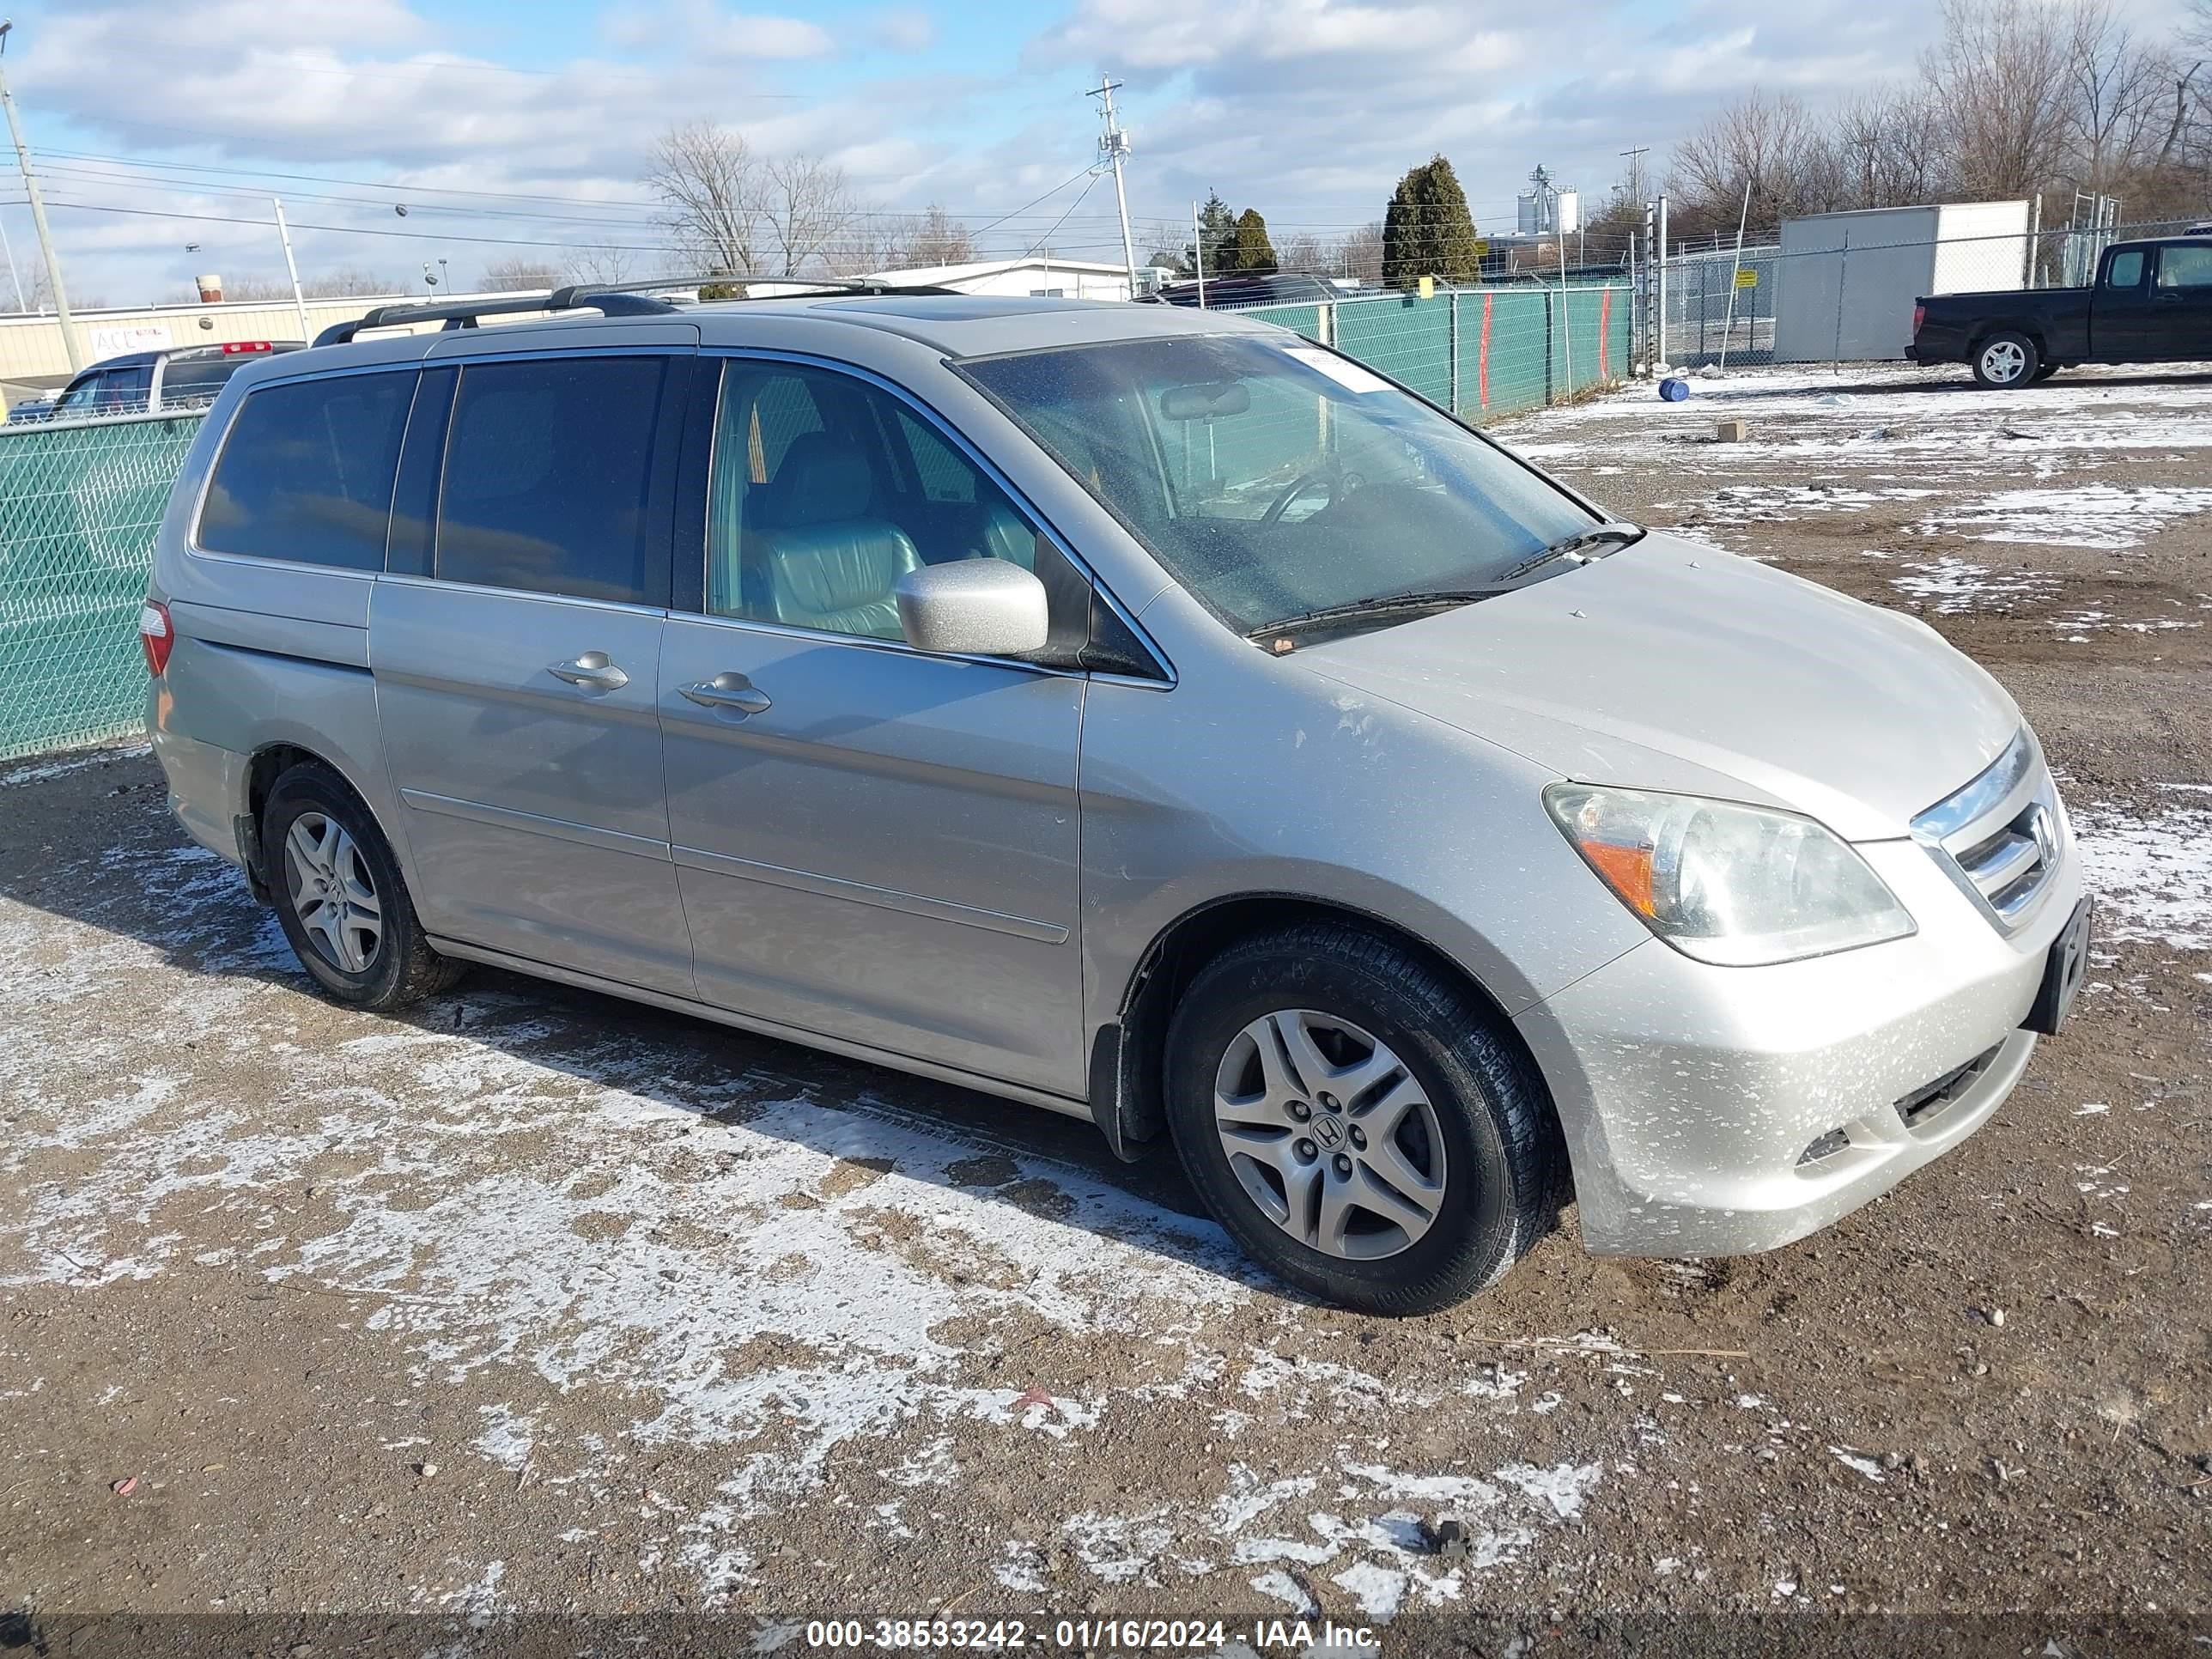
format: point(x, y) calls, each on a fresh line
point(1722, 1112)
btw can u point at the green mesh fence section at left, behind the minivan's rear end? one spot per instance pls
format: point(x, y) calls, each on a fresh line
point(79, 512)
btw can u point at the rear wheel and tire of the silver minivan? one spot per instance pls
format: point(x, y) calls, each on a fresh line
point(340, 895)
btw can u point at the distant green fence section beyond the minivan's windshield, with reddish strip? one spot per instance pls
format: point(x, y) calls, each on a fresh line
point(1481, 353)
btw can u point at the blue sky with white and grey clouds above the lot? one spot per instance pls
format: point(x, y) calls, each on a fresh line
point(510, 129)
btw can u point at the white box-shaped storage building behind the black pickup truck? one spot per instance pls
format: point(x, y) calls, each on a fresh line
point(1846, 282)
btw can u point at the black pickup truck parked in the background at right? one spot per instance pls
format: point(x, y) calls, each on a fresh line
point(2151, 304)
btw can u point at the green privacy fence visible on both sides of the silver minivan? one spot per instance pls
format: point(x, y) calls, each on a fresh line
point(81, 501)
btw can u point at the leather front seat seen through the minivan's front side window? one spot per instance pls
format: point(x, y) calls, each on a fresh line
point(826, 563)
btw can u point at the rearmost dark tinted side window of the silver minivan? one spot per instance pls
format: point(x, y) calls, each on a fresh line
point(306, 472)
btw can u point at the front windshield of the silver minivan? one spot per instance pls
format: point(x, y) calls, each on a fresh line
point(1277, 481)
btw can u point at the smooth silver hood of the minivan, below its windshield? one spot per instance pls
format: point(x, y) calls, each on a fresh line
point(1678, 667)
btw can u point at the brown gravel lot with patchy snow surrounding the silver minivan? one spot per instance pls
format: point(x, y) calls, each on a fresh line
point(541, 1306)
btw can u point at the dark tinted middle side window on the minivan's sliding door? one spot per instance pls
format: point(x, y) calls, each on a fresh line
point(550, 479)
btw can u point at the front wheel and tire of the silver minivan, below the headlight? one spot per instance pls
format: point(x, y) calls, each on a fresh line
point(1357, 1123)
